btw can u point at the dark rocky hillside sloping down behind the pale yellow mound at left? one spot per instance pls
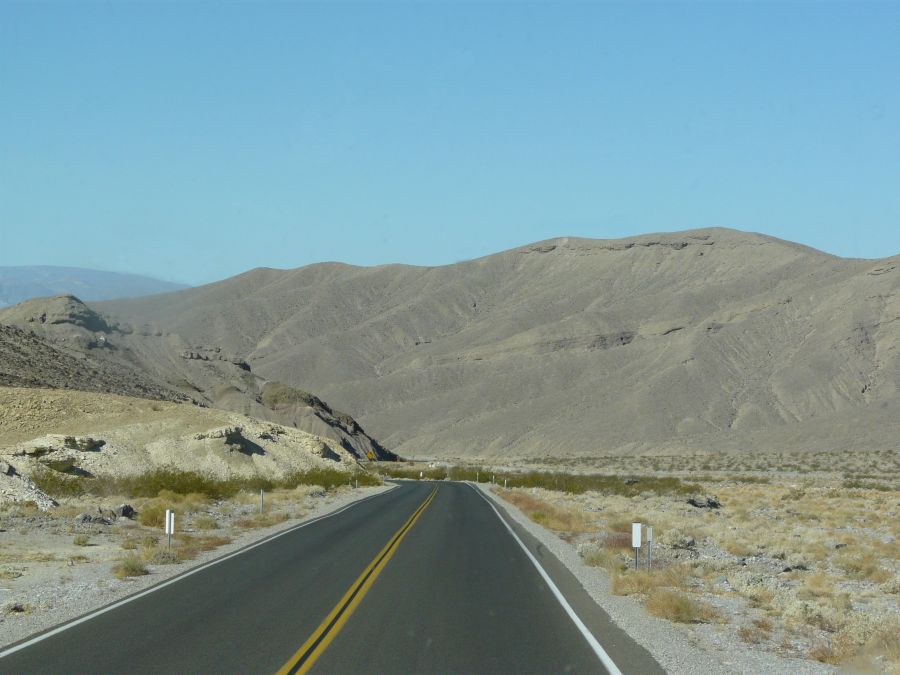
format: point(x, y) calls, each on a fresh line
point(60, 342)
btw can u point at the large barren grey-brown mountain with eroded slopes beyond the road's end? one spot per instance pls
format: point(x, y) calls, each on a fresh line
point(693, 341)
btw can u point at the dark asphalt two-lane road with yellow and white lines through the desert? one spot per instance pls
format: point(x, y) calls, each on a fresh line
point(425, 578)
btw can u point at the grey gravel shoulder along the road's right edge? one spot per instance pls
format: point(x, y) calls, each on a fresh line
point(680, 649)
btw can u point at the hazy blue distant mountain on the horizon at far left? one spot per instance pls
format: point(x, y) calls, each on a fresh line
point(23, 283)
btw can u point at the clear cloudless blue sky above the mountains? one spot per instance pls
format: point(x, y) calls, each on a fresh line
point(195, 141)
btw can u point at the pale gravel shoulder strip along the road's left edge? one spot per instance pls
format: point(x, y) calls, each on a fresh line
point(82, 588)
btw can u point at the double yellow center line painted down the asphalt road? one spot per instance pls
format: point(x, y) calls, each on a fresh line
point(312, 649)
